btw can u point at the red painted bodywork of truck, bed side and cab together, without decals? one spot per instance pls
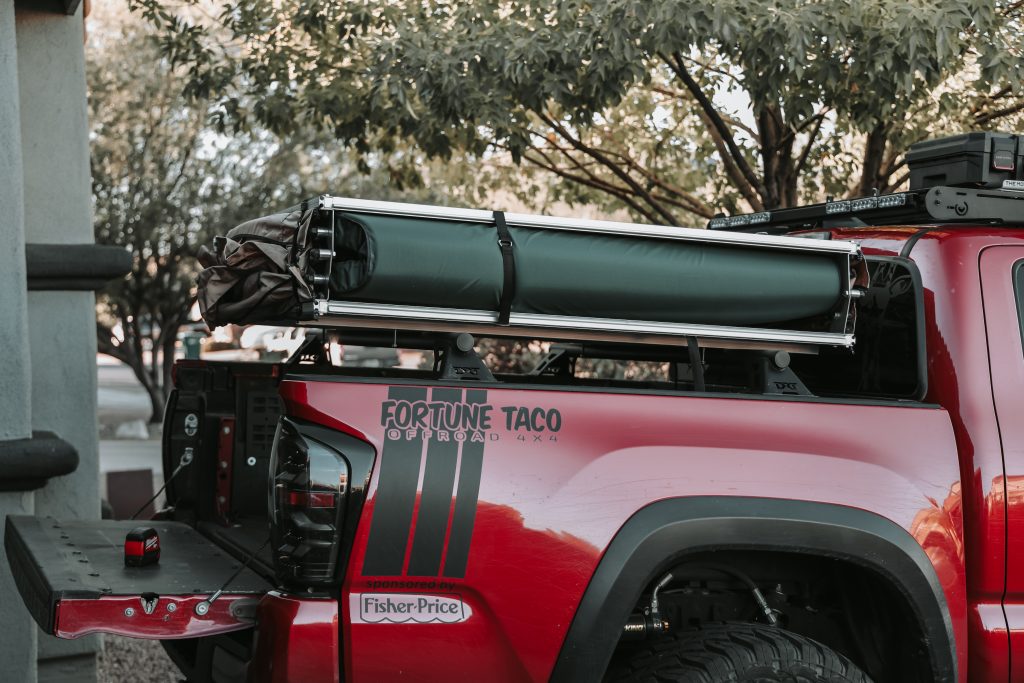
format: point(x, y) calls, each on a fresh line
point(548, 510)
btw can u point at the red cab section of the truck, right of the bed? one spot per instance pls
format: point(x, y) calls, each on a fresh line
point(973, 292)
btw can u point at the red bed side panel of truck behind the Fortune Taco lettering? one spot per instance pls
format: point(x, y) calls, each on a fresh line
point(549, 504)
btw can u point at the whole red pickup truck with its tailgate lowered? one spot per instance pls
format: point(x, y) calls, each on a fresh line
point(840, 517)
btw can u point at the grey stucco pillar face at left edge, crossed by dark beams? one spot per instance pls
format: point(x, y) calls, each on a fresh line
point(62, 325)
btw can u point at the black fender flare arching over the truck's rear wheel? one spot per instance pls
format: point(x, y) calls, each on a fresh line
point(663, 533)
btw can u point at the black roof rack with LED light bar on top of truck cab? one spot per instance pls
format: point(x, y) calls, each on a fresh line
point(935, 205)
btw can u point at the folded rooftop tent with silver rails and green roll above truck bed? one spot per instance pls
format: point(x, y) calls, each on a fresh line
point(334, 261)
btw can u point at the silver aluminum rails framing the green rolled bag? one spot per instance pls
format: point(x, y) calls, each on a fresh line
point(331, 313)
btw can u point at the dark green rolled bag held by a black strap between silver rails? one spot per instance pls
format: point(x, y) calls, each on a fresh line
point(397, 260)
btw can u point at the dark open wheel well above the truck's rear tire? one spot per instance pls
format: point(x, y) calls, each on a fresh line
point(844, 606)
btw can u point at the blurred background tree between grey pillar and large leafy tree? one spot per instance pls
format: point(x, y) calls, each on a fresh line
point(165, 182)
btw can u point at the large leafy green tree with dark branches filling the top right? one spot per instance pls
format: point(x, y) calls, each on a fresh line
point(636, 105)
